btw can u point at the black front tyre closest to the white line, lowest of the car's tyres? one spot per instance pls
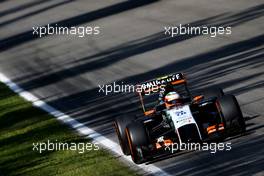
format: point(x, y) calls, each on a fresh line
point(138, 141)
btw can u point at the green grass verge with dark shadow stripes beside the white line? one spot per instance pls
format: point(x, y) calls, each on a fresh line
point(21, 125)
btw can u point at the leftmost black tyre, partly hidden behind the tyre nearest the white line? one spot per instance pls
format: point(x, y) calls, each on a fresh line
point(120, 124)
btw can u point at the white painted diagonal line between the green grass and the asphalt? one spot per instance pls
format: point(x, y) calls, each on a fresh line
point(79, 127)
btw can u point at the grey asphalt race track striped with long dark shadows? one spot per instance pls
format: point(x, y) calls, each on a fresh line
point(65, 71)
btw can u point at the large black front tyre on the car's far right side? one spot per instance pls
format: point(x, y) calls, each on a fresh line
point(234, 121)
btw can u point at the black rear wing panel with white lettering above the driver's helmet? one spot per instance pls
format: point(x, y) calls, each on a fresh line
point(155, 84)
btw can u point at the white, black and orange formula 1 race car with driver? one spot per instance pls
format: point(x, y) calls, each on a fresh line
point(171, 114)
